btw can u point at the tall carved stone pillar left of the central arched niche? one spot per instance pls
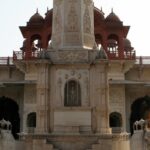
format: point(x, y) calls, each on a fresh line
point(43, 98)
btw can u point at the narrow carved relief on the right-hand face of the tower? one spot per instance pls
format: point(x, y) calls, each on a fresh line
point(87, 21)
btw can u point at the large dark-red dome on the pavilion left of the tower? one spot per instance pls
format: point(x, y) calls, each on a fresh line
point(36, 19)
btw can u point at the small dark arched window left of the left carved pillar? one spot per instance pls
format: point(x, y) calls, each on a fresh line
point(31, 120)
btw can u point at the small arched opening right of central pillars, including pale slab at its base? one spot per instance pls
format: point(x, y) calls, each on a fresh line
point(115, 121)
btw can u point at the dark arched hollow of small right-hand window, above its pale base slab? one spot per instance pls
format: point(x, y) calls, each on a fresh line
point(115, 119)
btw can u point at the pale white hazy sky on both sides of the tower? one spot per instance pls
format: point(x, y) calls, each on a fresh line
point(15, 13)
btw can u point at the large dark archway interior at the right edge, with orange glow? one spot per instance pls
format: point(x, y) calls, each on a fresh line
point(140, 109)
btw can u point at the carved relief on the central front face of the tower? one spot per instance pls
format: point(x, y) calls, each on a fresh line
point(72, 18)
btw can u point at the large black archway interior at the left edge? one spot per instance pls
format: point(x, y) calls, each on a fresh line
point(9, 111)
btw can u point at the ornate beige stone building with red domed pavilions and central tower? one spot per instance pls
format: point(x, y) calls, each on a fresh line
point(72, 84)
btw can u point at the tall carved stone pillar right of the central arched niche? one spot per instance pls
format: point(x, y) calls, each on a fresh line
point(101, 98)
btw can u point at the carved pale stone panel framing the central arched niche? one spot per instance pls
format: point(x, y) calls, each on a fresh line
point(63, 76)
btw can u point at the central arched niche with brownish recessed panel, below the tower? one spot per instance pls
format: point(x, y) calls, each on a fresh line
point(72, 94)
